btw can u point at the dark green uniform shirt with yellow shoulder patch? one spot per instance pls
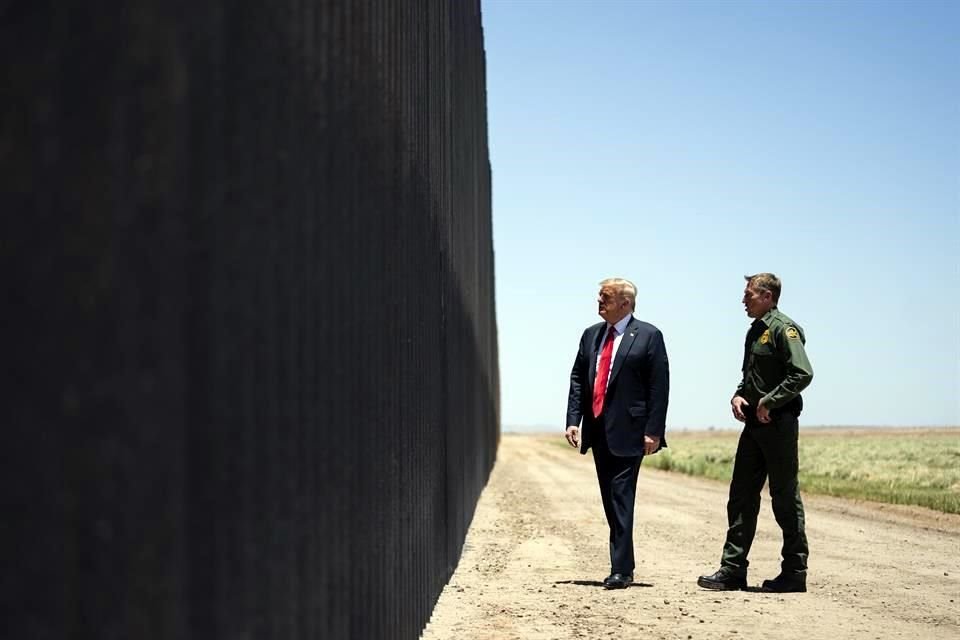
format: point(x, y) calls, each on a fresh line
point(775, 364)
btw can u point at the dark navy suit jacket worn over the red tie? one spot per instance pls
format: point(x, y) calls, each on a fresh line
point(637, 392)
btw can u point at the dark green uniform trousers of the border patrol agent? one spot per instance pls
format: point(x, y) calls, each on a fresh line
point(766, 449)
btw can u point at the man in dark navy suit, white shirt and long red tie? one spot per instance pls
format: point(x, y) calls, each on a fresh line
point(619, 387)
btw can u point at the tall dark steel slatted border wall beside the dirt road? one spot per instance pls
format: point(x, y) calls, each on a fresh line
point(250, 383)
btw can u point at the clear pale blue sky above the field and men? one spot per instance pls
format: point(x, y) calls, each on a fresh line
point(685, 144)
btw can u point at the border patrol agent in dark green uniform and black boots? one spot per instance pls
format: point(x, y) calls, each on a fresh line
point(775, 370)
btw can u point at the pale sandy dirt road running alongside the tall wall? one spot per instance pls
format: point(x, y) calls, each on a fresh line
point(536, 553)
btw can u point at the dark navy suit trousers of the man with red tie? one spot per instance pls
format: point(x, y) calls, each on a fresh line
point(617, 476)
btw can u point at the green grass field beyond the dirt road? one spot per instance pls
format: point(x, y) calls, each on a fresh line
point(899, 466)
